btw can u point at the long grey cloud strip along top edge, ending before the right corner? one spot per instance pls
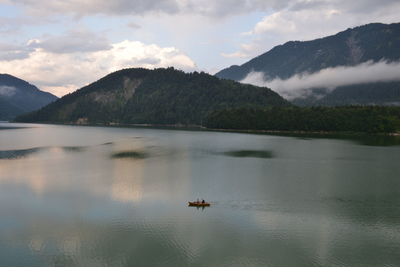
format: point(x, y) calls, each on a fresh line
point(140, 7)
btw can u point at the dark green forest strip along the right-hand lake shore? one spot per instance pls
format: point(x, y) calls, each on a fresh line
point(368, 119)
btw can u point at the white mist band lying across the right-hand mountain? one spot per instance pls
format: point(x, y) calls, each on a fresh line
point(299, 85)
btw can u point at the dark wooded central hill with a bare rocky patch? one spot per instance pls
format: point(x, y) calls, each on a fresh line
point(160, 96)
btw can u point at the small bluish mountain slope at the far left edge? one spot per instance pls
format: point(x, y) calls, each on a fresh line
point(18, 96)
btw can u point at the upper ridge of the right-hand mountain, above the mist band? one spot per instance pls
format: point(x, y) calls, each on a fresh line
point(347, 48)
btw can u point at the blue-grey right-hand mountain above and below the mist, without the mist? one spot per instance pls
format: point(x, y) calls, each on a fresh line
point(369, 43)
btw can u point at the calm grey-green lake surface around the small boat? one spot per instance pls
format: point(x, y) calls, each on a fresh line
point(69, 197)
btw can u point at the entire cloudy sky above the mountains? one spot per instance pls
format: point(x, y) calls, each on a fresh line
point(61, 46)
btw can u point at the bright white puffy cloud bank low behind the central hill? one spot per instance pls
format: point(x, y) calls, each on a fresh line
point(61, 73)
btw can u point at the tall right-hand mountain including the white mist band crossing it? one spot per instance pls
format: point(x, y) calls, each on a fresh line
point(308, 72)
